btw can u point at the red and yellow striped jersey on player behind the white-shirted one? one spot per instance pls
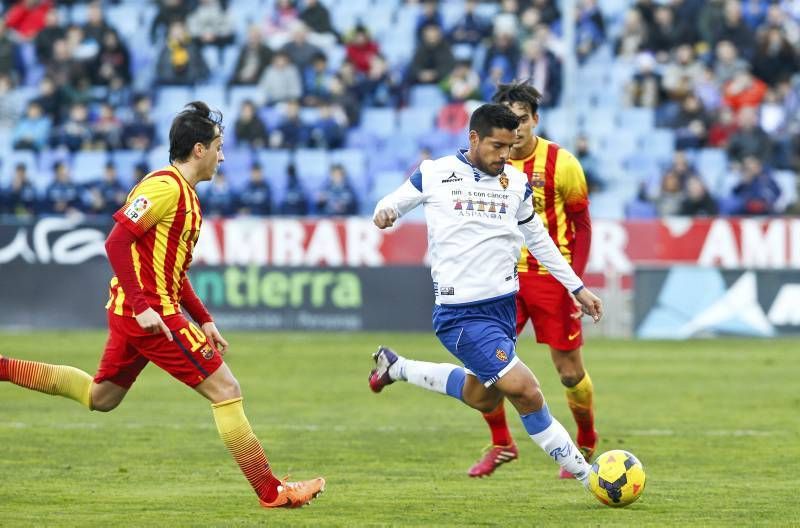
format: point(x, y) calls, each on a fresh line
point(559, 187)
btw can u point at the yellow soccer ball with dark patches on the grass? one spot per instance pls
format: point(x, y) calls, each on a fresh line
point(616, 478)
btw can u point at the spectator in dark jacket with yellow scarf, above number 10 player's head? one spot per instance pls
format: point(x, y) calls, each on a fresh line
point(180, 61)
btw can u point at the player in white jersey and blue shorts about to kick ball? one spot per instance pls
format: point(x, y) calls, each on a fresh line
point(478, 212)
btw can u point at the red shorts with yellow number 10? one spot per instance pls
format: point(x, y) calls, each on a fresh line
point(189, 357)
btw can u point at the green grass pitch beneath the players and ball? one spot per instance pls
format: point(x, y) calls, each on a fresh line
point(715, 423)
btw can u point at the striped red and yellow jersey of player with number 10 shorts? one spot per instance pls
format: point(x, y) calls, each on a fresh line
point(164, 213)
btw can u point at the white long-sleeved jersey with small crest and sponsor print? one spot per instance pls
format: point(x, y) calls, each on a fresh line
point(476, 226)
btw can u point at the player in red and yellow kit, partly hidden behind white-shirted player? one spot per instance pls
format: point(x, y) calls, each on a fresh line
point(560, 198)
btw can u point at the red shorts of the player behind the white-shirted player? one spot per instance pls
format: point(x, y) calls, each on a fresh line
point(546, 302)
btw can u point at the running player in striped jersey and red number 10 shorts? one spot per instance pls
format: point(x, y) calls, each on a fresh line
point(150, 249)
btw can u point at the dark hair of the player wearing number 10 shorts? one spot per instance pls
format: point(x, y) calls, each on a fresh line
point(196, 123)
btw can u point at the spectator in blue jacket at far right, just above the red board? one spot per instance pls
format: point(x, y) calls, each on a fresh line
point(756, 193)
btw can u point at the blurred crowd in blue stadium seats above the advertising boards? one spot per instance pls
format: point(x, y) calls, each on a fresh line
point(330, 102)
